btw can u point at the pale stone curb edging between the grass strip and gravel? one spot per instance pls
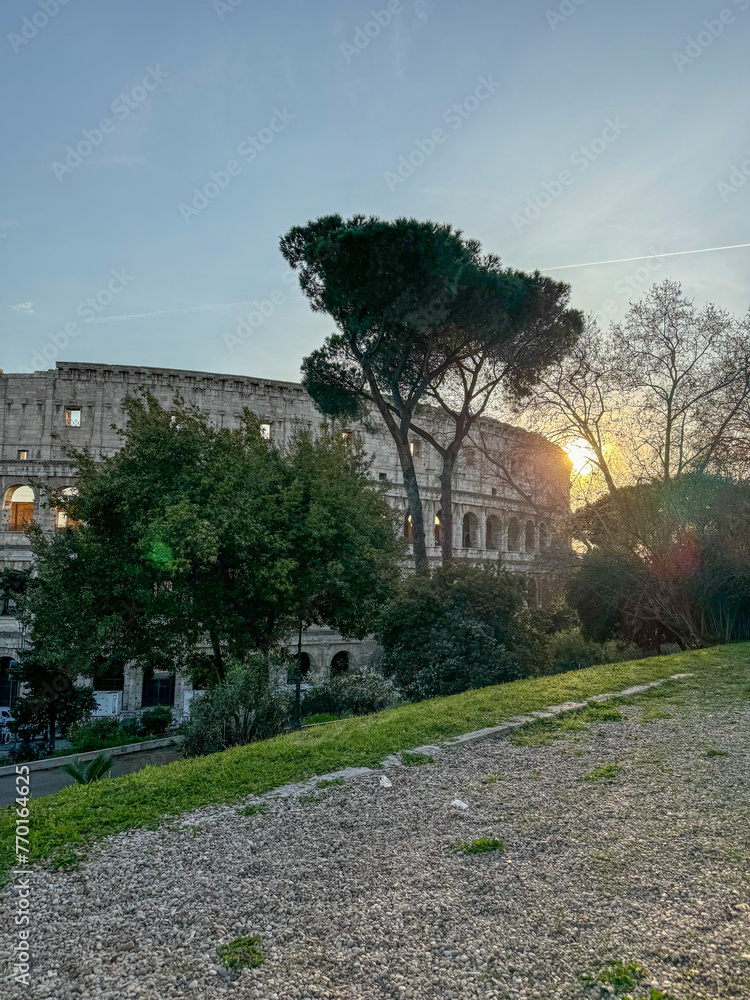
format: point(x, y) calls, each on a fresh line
point(491, 732)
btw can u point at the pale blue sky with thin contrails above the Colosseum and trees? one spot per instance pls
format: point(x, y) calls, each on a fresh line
point(155, 152)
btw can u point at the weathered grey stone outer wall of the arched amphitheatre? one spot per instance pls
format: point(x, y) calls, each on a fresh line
point(33, 423)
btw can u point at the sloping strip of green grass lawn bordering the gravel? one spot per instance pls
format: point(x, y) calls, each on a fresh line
point(79, 814)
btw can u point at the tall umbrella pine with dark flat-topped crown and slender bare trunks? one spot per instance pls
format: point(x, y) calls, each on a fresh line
point(423, 318)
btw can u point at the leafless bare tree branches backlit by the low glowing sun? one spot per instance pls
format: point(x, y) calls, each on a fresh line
point(663, 393)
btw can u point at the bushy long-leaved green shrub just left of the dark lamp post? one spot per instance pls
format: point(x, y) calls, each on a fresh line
point(239, 710)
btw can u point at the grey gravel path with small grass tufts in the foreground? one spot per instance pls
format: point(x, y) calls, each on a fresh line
point(358, 896)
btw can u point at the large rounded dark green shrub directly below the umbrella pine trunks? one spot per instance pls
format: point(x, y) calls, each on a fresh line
point(461, 627)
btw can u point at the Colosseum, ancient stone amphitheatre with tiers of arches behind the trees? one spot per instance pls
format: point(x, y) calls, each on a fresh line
point(77, 404)
